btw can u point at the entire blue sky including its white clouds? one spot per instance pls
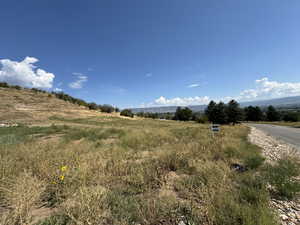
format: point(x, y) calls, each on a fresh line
point(133, 53)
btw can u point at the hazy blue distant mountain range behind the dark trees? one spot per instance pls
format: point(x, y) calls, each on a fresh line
point(288, 102)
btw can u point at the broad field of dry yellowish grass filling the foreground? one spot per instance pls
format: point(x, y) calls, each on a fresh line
point(118, 171)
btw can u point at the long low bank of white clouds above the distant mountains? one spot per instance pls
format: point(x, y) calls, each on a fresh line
point(264, 89)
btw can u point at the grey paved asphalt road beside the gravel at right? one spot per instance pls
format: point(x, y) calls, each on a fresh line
point(288, 134)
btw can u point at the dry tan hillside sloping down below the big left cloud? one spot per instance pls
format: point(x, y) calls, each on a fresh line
point(27, 106)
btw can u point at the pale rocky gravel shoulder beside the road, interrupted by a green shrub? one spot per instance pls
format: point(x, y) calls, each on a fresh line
point(274, 149)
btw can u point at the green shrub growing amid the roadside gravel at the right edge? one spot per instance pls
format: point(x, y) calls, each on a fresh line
point(281, 175)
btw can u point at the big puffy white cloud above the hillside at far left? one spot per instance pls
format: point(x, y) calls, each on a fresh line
point(25, 73)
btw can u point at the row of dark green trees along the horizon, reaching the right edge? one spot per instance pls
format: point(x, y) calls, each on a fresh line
point(230, 113)
